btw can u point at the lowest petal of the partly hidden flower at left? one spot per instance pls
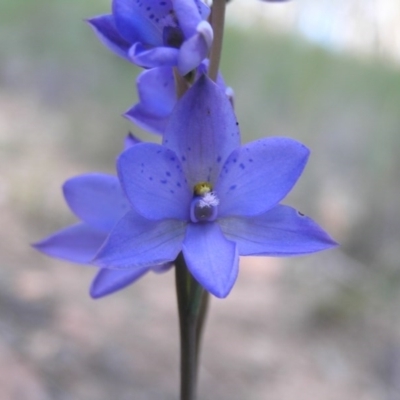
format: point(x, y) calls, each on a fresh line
point(108, 281)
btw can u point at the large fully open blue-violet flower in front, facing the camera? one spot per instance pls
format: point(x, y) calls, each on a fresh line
point(202, 194)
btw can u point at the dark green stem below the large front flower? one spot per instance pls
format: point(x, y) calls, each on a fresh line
point(192, 305)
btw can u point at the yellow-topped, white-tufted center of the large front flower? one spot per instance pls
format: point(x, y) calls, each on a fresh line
point(204, 205)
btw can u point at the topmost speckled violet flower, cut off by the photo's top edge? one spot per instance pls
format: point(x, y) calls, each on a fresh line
point(155, 33)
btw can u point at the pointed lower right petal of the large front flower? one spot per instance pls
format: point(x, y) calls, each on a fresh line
point(282, 231)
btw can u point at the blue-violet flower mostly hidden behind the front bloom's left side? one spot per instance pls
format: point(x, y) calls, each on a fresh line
point(98, 200)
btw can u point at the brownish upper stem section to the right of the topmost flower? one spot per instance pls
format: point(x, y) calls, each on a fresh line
point(217, 23)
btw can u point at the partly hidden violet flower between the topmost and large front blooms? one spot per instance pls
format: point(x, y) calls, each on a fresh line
point(157, 97)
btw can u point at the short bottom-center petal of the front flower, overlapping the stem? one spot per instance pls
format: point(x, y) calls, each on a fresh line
point(211, 258)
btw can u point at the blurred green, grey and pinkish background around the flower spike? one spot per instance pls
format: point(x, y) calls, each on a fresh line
point(325, 326)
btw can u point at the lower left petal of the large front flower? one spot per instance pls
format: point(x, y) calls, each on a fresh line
point(138, 242)
